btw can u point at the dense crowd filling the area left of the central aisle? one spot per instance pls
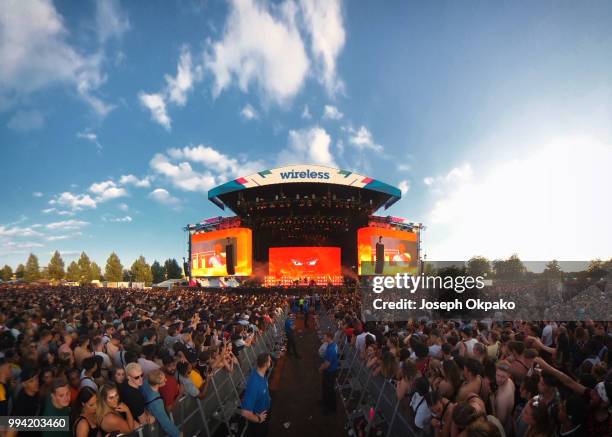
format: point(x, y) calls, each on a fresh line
point(113, 360)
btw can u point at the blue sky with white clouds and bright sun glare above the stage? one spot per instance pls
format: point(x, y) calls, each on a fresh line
point(493, 118)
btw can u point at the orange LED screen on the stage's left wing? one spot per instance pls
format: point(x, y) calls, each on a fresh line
point(209, 252)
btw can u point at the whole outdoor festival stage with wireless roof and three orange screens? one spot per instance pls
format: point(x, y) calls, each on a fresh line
point(301, 225)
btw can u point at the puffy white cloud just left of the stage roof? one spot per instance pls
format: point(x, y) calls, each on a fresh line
point(176, 166)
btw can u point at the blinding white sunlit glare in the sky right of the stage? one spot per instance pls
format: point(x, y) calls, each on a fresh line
point(542, 205)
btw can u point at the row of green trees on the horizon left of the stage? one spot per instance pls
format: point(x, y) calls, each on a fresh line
point(85, 271)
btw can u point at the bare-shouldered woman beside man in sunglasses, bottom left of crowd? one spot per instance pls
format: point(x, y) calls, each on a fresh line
point(112, 415)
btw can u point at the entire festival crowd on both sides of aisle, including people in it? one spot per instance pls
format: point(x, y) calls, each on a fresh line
point(113, 360)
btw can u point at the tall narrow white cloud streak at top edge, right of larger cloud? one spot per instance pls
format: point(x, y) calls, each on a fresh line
point(323, 21)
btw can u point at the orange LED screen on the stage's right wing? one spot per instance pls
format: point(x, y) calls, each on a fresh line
point(399, 248)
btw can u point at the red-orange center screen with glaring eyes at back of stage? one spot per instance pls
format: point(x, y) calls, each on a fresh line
point(300, 262)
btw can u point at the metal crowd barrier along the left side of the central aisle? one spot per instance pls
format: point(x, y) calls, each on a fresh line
point(221, 404)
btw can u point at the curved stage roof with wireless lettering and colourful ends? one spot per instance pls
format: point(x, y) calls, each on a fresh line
point(305, 174)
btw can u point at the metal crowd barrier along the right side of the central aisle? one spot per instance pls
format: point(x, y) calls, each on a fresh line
point(370, 402)
